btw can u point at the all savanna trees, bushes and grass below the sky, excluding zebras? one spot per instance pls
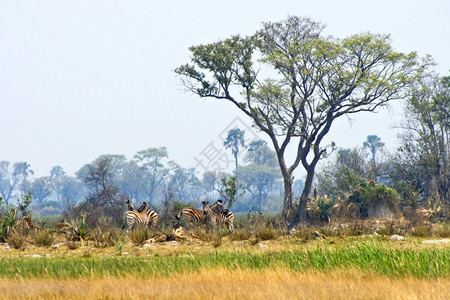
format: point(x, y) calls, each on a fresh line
point(363, 223)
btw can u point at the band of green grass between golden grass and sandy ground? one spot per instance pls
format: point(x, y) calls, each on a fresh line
point(370, 257)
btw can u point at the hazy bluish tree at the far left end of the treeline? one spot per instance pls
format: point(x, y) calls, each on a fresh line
point(12, 177)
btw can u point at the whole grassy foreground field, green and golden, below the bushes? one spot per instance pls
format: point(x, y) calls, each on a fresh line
point(285, 267)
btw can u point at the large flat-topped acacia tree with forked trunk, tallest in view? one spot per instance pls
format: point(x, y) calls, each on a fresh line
point(293, 82)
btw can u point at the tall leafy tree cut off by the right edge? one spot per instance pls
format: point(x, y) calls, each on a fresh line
point(421, 166)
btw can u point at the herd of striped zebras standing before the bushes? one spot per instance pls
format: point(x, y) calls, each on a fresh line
point(211, 216)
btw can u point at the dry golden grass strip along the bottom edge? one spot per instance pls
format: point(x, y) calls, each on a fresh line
point(240, 284)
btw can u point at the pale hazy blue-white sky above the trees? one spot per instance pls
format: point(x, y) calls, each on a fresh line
point(79, 79)
